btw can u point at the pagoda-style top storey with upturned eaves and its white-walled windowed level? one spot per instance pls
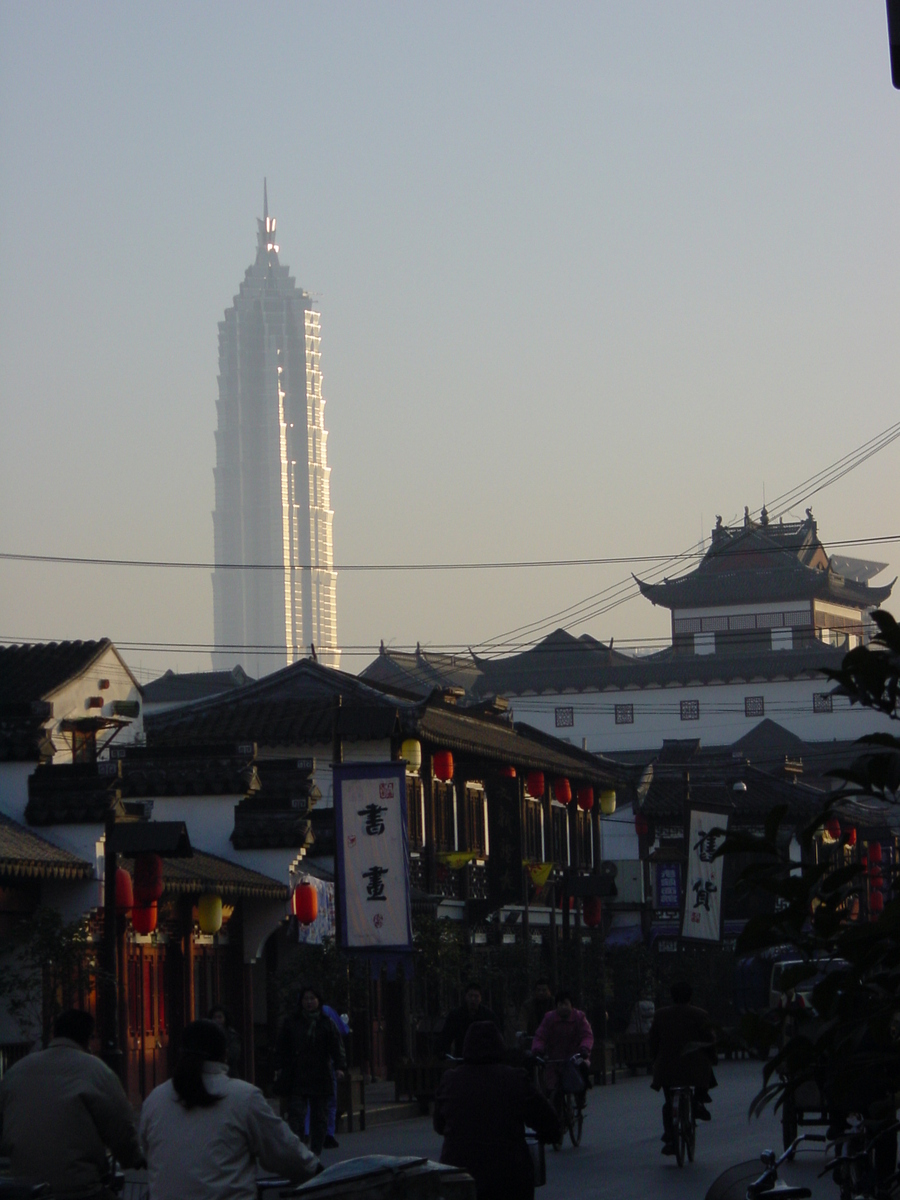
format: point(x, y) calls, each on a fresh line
point(764, 586)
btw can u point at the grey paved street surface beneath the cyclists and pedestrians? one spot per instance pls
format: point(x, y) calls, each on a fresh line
point(620, 1155)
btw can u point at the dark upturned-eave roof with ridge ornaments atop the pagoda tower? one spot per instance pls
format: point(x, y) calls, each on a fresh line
point(761, 563)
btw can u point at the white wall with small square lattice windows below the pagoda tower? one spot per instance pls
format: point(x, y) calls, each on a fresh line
point(722, 715)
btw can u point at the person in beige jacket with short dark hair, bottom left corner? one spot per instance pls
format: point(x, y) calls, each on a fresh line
point(62, 1109)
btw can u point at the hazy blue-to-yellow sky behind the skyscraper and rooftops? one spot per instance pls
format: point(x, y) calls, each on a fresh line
point(590, 275)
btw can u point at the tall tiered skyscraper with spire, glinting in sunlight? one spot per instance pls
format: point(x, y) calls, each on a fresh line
point(273, 497)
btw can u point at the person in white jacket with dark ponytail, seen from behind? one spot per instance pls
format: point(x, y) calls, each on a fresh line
point(203, 1132)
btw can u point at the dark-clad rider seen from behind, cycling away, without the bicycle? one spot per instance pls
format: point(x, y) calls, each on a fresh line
point(683, 1049)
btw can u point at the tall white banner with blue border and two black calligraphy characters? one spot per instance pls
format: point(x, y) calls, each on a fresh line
point(373, 861)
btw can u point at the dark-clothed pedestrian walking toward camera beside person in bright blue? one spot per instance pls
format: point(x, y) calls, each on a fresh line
point(309, 1055)
